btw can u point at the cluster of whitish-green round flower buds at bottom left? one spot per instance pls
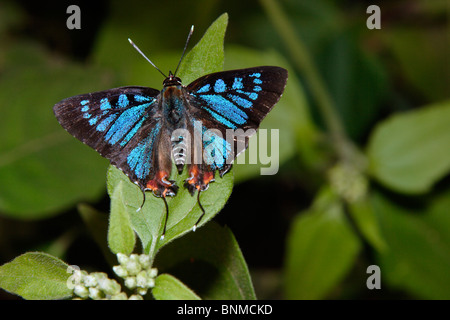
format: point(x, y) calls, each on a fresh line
point(134, 269)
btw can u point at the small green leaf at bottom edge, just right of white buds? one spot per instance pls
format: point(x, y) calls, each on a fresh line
point(168, 287)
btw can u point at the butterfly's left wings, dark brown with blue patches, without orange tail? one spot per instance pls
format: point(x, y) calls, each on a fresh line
point(118, 123)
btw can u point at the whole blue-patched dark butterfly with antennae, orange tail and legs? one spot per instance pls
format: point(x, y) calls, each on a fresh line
point(142, 131)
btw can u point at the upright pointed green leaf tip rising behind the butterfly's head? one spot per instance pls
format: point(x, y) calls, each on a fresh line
point(207, 56)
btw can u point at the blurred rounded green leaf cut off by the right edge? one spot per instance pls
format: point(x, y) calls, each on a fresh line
point(409, 152)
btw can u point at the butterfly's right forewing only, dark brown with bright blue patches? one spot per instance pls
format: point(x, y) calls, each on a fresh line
point(238, 98)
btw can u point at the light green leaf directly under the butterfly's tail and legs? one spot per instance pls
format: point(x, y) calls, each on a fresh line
point(183, 208)
